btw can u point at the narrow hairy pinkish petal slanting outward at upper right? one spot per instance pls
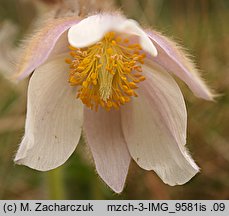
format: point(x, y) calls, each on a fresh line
point(172, 58)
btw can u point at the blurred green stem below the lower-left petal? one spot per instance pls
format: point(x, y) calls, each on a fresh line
point(55, 184)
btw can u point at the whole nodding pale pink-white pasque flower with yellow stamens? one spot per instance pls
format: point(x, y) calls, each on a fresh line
point(108, 77)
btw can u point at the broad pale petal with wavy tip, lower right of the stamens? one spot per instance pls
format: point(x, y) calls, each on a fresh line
point(154, 126)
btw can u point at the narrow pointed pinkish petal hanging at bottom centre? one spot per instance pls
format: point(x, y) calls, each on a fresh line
point(105, 138)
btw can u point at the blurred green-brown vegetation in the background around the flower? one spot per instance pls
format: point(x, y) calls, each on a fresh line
point(202, 27)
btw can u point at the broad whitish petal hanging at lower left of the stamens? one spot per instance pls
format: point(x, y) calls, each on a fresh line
point(54, 118)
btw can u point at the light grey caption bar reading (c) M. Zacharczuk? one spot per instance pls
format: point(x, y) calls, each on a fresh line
point(115, 207)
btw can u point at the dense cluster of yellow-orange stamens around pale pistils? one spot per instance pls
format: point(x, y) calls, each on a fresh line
point(107, 72)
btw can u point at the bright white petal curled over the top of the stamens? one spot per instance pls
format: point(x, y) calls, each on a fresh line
point(93, 28)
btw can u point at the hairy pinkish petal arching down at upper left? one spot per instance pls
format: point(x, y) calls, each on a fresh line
point(39, 47)
